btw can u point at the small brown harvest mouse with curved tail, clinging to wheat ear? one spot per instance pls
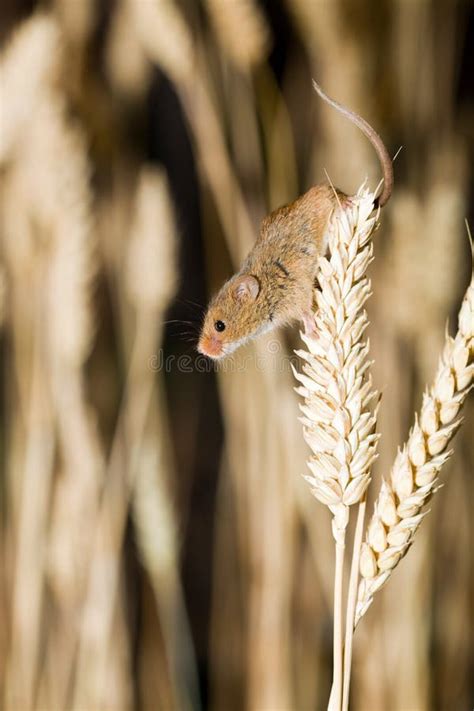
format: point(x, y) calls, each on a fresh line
point(274, 286)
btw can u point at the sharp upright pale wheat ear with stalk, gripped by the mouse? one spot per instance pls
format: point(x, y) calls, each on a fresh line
point(338, 418)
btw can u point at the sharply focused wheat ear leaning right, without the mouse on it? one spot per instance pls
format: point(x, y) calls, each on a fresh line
point(414, 477)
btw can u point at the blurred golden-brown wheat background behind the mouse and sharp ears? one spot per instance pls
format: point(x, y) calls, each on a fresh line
point(159, 548)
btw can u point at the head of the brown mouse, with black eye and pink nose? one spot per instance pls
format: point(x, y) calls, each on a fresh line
point(232, 317)
